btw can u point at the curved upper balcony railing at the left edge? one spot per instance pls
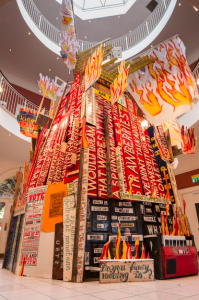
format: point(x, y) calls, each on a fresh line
point(12, 100)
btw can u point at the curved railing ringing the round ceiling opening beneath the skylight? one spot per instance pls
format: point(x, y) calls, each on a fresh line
point(126, 42)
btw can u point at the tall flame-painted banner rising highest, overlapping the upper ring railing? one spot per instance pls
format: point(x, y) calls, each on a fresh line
point(69, 43)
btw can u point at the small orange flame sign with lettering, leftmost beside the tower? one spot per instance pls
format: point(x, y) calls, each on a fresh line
point(26, 120)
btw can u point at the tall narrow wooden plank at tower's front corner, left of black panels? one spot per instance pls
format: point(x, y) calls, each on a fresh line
point(82, 223)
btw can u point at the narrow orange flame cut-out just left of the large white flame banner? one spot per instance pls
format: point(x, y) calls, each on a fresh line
point(119, 85)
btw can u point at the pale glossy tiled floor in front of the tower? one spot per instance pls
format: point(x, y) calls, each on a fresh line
point(13, 287)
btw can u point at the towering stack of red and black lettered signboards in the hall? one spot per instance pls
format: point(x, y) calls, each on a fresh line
point(94, 167)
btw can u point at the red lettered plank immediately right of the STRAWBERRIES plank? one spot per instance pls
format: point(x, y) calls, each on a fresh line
point(138, 147)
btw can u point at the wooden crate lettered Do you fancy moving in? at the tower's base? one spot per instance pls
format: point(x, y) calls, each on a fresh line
point(126, 270)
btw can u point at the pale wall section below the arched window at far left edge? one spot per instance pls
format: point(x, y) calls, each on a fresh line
point(4, 227)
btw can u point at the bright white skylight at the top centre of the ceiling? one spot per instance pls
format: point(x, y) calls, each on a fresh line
point(86, 11)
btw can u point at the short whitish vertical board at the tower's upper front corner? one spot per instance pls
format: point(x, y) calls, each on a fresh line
point(90, 107)
